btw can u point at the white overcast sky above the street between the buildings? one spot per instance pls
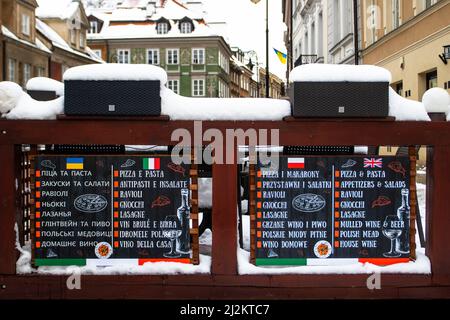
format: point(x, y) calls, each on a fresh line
point(246, 27)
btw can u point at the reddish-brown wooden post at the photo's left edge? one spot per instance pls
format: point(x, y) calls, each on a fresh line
point(7, 209)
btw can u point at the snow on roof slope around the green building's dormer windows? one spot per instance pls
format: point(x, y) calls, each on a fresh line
point(136, 31)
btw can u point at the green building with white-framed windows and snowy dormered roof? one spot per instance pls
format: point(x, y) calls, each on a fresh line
point(167, 34)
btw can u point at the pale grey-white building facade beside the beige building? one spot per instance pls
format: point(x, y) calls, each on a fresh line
point(320, 31)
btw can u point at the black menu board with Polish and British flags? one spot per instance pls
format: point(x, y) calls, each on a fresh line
point(327, 210)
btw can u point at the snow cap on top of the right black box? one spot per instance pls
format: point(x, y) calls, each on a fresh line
point(339, 73)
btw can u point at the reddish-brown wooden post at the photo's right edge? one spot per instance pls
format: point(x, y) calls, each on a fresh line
point(438, 204)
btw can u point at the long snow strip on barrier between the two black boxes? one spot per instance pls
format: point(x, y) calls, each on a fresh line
point(185, 108)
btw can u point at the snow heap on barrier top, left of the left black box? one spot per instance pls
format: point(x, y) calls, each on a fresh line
point(28, 108)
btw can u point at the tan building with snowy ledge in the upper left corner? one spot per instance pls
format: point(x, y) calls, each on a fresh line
point(23, 55)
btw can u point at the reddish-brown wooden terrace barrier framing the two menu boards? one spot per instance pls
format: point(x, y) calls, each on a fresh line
point(224, 281)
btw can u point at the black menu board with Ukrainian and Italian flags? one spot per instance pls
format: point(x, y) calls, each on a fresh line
point(110, 208)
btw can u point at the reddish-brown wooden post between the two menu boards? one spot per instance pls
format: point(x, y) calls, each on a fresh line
point(224, 222)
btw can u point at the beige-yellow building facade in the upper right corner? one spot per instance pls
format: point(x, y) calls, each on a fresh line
point(408, 39)
